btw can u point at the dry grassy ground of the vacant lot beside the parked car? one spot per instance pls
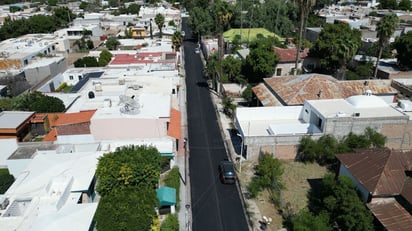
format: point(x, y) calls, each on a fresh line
point(295, 179)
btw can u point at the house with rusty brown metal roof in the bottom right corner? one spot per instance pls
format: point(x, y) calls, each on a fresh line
point(383, 178)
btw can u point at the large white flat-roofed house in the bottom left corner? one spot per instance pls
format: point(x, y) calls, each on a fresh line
point(54, 189)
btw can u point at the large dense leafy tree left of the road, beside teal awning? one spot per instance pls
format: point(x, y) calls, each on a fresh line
point(126, 180)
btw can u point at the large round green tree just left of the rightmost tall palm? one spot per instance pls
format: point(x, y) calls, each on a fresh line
point(336, 46)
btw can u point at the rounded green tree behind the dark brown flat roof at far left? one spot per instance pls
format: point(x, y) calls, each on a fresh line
point(37, 102)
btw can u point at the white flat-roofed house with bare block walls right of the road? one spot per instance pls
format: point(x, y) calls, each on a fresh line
point(278, 130)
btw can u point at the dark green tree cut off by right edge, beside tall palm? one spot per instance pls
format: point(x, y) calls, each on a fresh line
point(403, 46)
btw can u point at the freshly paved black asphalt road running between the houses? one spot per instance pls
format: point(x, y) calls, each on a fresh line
point(215, 206)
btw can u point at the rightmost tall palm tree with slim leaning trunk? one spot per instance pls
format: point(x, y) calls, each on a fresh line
point(385, 28)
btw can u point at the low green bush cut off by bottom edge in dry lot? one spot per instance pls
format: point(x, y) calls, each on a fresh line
point(306, 221)
